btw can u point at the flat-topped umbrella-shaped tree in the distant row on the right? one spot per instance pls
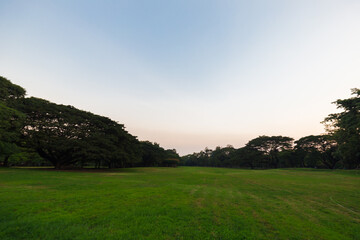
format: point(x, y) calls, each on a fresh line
point(270, 147)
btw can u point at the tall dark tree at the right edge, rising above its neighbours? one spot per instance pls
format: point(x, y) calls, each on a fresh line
point(345, 127)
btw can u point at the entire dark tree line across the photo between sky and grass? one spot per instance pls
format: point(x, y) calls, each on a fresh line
point(36, 132)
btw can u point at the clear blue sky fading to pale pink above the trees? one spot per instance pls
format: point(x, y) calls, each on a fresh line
point(187, 74)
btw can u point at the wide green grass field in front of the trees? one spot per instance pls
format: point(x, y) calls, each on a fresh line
point(179, 203)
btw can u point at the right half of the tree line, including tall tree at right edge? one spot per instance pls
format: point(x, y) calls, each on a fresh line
point(338, 148)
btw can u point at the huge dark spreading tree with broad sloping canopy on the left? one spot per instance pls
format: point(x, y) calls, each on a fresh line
point(66, 136)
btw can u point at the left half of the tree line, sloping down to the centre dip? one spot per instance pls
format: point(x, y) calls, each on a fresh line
point(34, 131)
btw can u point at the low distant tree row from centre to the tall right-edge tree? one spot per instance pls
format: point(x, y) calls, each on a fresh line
point(271, 152)
